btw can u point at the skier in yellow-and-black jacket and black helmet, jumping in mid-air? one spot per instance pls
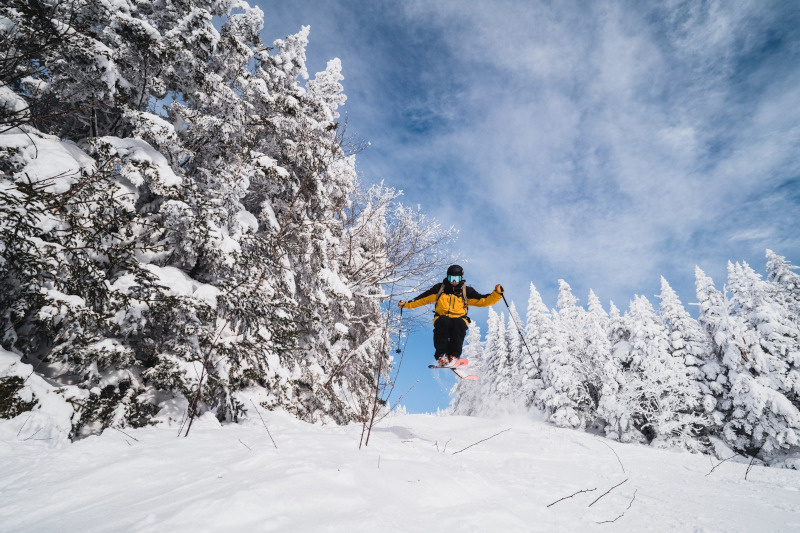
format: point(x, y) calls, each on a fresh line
point(452, 299)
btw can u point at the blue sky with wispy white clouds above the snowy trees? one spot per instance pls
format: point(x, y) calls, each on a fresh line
point(606, 143)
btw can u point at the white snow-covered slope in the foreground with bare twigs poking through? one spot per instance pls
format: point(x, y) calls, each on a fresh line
point(413, 476)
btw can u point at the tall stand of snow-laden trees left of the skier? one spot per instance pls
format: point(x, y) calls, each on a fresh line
point(181, 220)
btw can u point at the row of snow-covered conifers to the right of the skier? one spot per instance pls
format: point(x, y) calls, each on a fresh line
point(657, 375)
